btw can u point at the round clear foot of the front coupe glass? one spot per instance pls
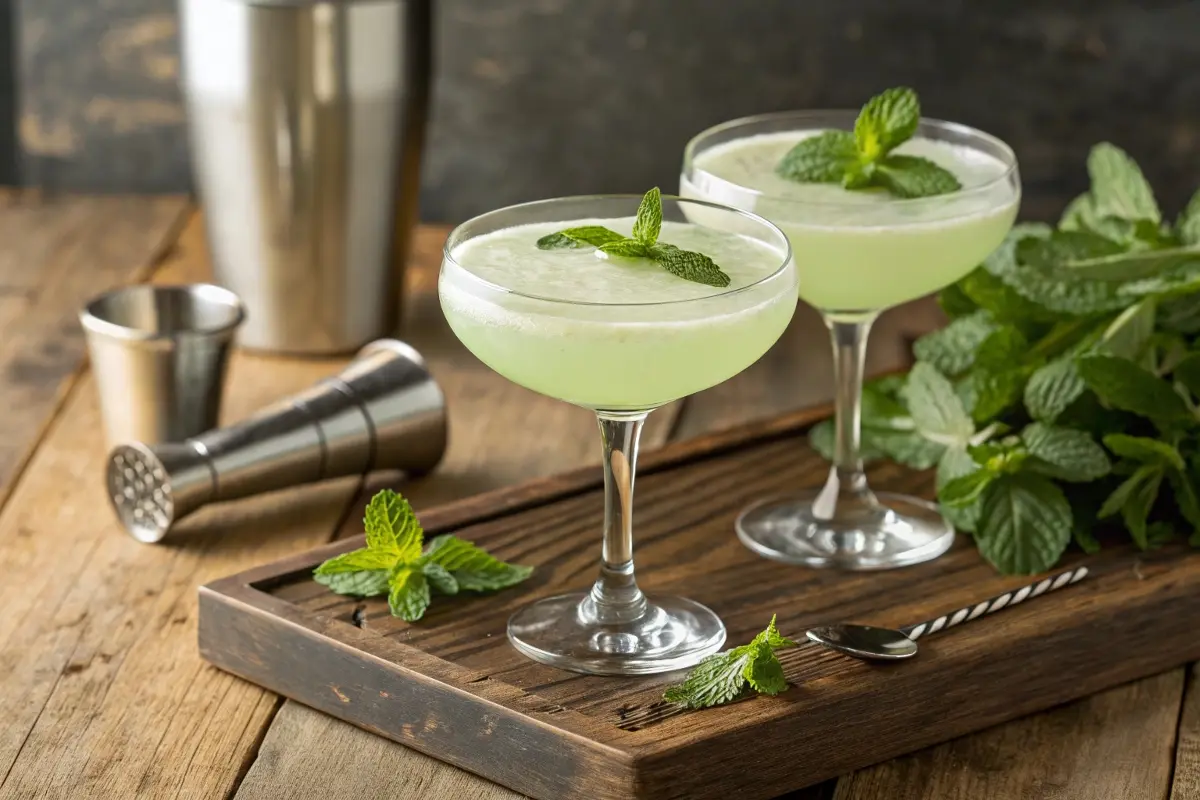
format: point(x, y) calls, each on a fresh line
point(566, 633)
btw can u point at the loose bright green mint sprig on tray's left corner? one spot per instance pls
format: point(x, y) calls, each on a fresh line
point(397, 564)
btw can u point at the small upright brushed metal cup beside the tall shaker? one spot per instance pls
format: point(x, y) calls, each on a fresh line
point(160, 356)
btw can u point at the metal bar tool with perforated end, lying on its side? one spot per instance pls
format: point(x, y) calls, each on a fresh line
point(383, 412)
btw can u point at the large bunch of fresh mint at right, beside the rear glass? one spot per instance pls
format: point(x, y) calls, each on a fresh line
point(1061, 402)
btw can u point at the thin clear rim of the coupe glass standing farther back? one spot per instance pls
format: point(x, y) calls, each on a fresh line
point(689, 155)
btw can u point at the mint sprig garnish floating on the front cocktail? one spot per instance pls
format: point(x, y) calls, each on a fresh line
point(644, 244)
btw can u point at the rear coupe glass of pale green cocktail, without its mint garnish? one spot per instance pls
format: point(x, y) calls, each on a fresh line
point(857, 254)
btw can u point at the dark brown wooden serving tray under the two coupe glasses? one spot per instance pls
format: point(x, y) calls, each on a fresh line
point(453, 688)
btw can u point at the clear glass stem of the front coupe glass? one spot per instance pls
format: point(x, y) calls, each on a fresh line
point(615, 597)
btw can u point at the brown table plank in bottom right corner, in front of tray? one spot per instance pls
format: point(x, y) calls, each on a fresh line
point(1115, 745)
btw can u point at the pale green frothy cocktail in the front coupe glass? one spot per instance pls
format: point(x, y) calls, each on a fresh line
point(608, 333)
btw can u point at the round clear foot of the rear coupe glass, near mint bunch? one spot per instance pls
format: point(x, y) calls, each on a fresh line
point(891, 531)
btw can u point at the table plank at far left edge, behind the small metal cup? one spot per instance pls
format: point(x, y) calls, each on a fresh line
point(57, 254)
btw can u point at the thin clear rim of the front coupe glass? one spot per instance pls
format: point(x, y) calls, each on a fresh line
point(448, 256)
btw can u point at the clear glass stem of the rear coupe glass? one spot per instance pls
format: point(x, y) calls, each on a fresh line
point(847, 484)
